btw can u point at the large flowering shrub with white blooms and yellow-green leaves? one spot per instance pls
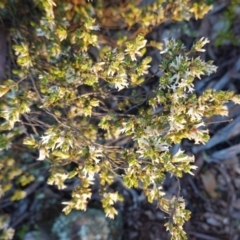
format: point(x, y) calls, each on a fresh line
point(73, 106)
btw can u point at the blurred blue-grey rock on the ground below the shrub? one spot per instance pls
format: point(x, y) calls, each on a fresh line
point(89, 225)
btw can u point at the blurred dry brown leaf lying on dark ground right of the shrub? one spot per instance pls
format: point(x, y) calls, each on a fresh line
point(210, 184)
